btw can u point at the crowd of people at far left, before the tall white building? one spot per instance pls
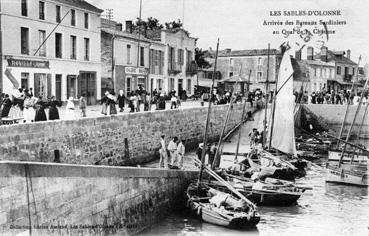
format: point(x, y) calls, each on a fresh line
point(24, 107)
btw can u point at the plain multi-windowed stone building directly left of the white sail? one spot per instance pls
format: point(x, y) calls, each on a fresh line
point(251, 66)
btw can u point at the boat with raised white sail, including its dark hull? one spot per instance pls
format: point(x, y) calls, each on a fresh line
point(282, 146)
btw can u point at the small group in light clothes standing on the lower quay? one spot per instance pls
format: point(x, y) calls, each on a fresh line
point(171, 156)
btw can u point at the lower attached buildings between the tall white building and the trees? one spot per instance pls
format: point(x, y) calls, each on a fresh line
point(161, 60)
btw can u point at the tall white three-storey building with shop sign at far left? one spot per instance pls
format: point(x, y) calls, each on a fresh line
point(52, 47)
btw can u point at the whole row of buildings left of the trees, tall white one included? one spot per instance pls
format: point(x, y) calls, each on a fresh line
point(64, 48)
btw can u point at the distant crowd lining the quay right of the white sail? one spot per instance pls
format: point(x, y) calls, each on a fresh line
point(330, 97)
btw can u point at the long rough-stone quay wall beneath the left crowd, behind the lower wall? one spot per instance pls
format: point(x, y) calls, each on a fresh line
point(128, 139)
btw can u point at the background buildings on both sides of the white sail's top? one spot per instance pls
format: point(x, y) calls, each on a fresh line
point(327, 70)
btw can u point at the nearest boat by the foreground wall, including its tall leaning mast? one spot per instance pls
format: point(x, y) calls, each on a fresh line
point(216, 207)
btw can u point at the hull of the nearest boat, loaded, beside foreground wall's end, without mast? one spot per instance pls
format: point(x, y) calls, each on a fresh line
point(219, 208)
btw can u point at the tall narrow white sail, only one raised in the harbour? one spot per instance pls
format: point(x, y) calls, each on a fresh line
point(283, 135)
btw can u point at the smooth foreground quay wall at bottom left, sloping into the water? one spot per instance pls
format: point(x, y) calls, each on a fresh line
point(64, 199)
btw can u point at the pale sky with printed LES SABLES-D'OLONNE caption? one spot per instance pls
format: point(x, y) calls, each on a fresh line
point(239, 23)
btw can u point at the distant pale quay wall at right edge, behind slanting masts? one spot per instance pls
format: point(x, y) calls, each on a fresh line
point(331, 116)
